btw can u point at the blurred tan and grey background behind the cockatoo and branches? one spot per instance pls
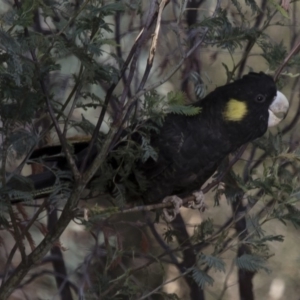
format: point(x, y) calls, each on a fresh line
point(201, 45)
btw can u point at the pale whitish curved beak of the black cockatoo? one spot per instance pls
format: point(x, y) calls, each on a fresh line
point(278, 109)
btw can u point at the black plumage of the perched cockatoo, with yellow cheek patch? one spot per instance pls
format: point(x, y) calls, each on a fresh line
point(190, 148)
